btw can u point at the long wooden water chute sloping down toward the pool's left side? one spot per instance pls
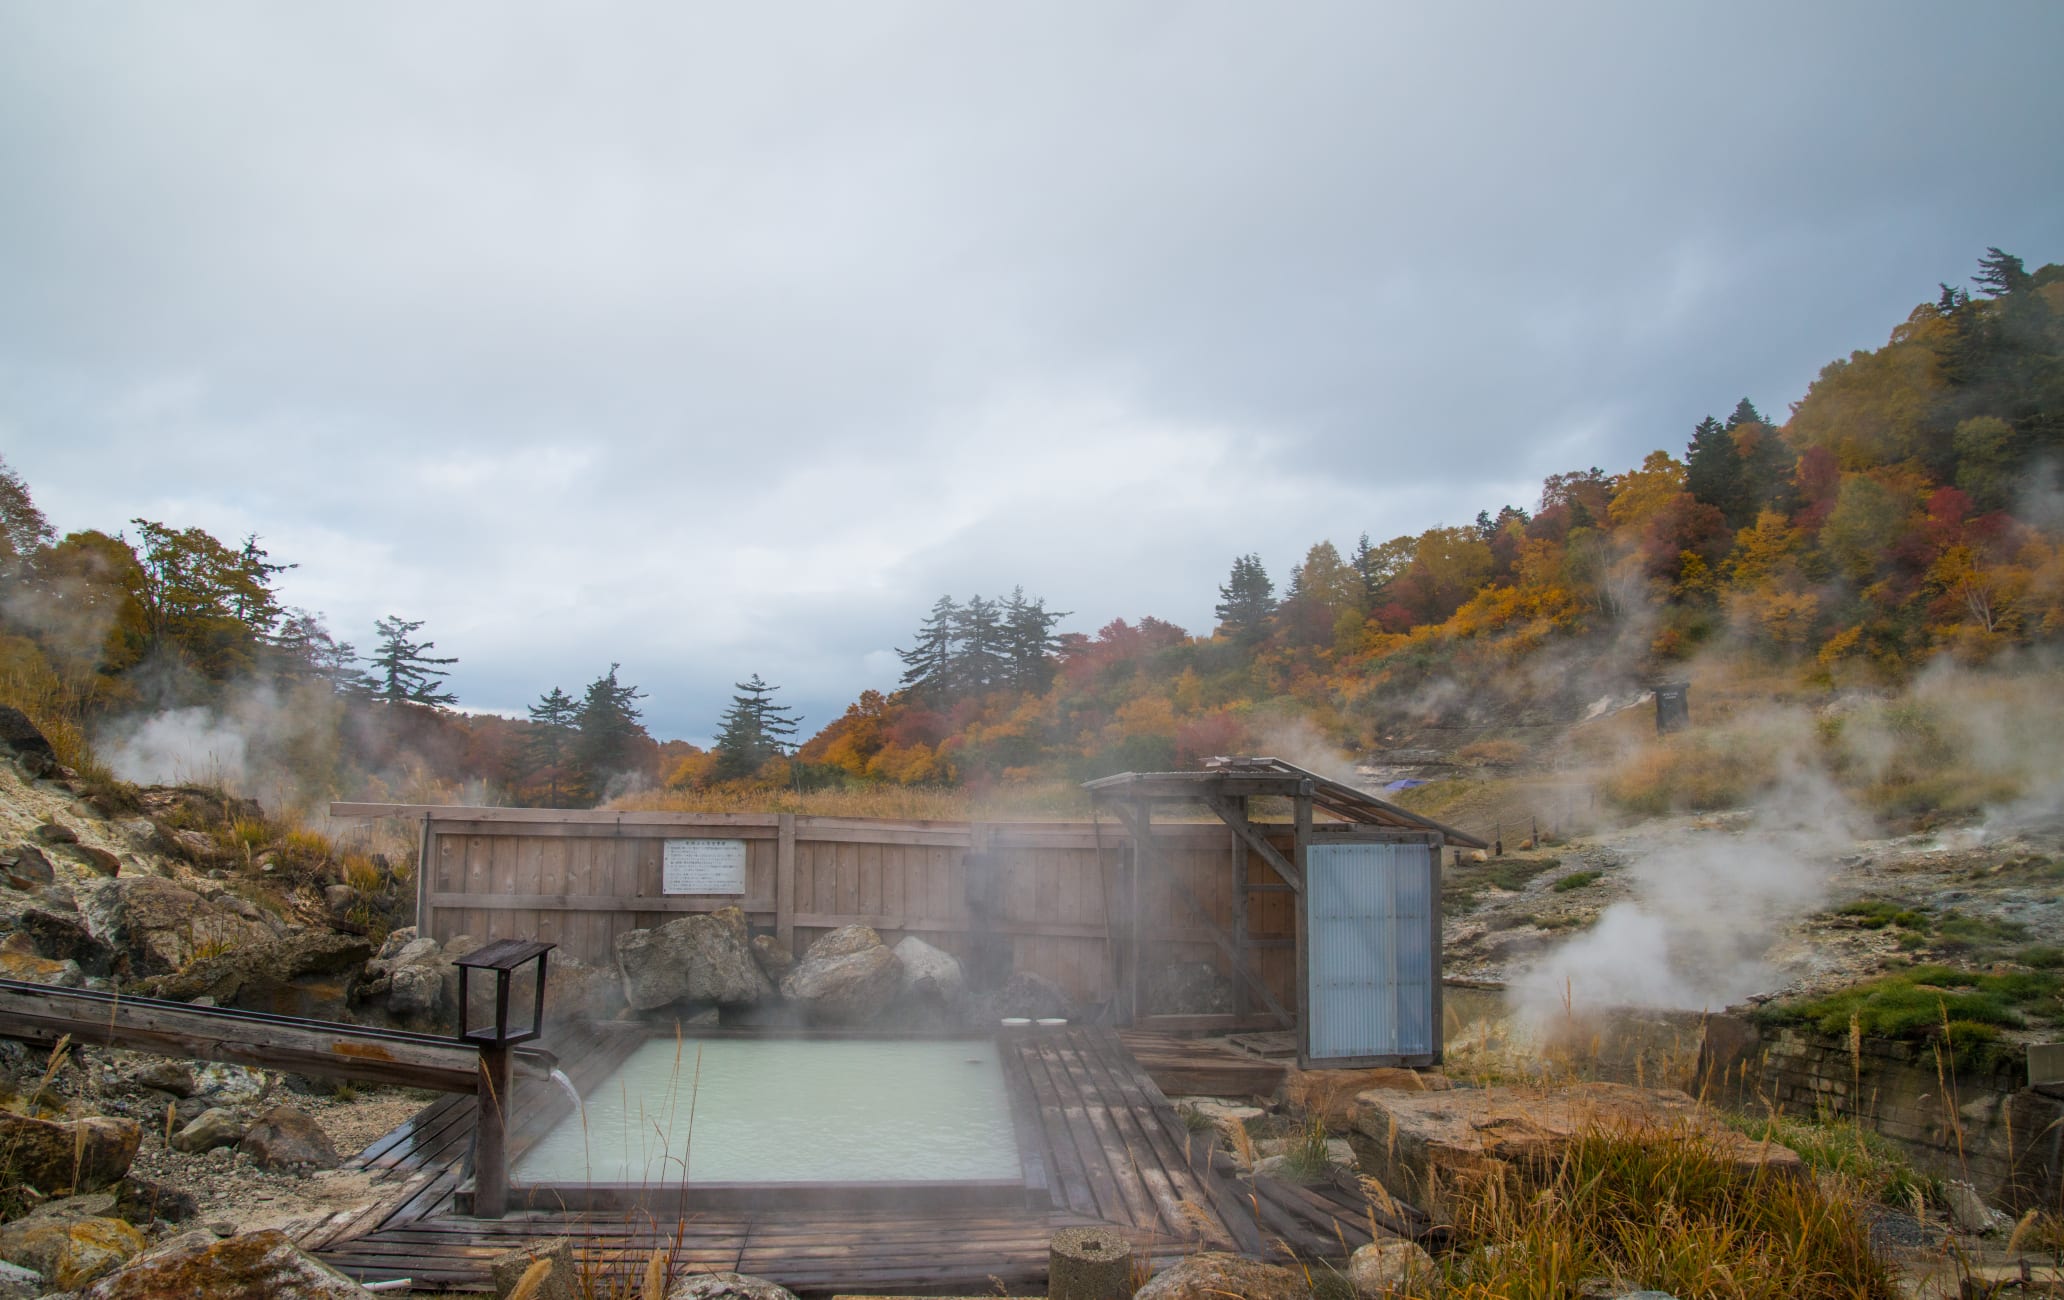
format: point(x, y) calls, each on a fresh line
point(313, 1047)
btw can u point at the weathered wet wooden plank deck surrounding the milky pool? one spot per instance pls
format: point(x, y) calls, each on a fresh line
point(1107, 1146)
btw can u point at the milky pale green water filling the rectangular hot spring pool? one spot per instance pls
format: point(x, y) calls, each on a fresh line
point(789, 1111)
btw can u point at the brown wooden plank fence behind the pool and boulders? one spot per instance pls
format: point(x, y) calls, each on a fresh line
point(1047, 888)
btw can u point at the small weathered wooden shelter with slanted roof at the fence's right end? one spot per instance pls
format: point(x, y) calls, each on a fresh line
point(1270, 859)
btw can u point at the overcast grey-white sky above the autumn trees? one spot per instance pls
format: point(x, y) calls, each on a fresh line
point(725, 339)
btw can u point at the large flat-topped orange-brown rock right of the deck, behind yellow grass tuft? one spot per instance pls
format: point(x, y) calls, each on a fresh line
point(1431, 1148)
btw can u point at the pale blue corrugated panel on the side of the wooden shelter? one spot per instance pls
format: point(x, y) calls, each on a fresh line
point(1369, 950)
